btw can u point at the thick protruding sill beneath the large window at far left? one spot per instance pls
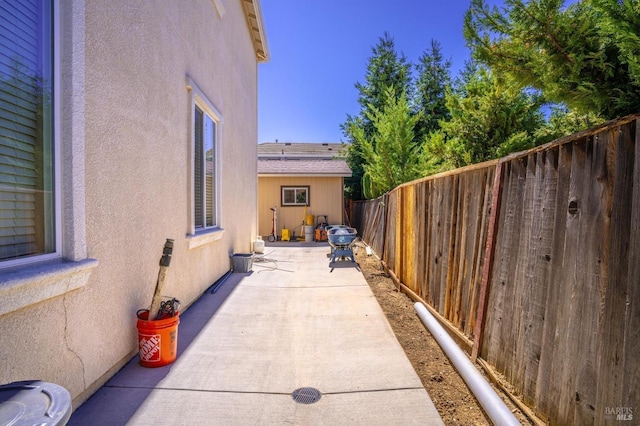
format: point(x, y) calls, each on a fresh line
point(25, 286)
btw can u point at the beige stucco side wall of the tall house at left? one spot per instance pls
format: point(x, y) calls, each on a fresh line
point(135, 117)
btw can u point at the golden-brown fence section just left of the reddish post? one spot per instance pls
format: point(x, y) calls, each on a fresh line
point(439, 227)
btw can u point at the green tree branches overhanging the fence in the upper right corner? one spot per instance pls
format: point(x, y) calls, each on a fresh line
point(584, 55)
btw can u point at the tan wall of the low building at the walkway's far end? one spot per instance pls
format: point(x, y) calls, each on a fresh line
point(325, 199)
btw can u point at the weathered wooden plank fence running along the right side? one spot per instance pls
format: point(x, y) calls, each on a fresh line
point(534, 259)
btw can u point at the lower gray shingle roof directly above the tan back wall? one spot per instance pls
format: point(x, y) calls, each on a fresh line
point(304, 168)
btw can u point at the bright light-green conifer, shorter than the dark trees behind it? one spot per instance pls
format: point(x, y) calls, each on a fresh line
point(390, 154)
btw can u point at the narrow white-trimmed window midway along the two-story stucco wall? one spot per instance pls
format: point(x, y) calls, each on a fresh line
point(206, 165)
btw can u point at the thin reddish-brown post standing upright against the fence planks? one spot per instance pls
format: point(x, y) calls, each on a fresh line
point(487, 266)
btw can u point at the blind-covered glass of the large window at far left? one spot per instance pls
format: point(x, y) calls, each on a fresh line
point(28, 147)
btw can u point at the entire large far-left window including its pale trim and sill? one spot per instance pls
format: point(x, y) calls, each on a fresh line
point(32, 74)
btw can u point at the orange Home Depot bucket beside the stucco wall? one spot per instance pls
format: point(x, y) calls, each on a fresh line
point(157, 340)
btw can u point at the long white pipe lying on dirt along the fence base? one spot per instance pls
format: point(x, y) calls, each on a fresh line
point(498, 412)
